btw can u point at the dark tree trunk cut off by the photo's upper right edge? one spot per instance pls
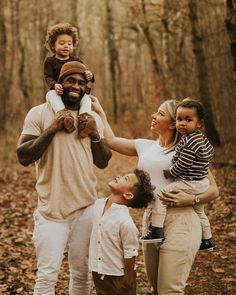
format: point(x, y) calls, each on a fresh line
point(230, 23)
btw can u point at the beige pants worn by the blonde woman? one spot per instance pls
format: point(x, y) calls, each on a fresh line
point(168, 264)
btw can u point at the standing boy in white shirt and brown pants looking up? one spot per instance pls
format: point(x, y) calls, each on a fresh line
point(114, 242)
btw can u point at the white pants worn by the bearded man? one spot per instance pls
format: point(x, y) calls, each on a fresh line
point(50, 239)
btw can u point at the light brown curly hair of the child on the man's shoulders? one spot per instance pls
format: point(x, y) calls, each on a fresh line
point(60, 29)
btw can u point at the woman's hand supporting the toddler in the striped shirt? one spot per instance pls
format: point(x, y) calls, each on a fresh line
point(177, 199)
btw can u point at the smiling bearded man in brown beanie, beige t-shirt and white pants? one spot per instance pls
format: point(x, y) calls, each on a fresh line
point(65, 183)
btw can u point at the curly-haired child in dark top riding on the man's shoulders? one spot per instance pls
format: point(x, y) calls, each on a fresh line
point(61, 40)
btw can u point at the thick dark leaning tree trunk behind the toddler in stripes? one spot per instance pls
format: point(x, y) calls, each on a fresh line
point(202, 74)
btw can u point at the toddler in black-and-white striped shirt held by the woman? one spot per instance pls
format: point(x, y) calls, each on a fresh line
point(189, 169)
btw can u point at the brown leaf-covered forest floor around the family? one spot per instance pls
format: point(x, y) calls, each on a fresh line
point(213, 272)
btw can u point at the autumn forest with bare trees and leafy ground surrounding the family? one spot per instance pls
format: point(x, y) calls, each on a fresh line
point(141, 52)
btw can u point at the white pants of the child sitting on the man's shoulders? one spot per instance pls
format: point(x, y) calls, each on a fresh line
point(58, 105)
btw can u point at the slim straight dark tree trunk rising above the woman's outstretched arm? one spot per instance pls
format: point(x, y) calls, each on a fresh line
point(113, 57)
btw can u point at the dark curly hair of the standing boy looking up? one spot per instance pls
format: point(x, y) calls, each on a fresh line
point(142, 190)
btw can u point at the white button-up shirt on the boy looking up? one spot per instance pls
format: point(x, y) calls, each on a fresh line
point(114, 237)
